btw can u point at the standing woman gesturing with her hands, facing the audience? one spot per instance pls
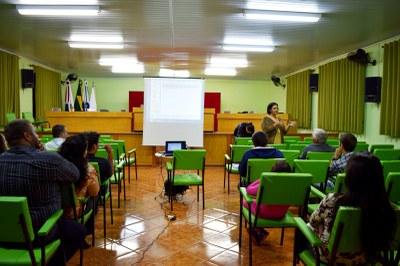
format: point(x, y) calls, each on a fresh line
point(273, 126)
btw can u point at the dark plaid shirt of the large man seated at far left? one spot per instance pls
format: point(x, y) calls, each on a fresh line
point(26, 171)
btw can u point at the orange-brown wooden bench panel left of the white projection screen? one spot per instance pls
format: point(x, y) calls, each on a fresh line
point(101, 122)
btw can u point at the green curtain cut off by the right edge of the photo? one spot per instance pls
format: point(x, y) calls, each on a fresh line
point(390, 95)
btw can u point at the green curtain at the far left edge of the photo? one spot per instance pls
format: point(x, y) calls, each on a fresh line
point(9, 85)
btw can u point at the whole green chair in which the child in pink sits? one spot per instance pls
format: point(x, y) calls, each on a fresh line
point(275, 189)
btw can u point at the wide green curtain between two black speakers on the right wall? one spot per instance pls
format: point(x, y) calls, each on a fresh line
point(341, 96)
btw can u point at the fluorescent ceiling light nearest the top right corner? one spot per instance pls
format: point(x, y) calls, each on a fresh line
point(282, 16)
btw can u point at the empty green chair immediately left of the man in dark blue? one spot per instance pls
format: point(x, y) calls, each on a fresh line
point(233, 159)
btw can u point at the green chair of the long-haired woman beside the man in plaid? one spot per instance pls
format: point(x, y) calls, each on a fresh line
point(70, 201)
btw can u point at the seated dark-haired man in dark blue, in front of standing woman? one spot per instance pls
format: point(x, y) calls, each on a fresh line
point(260, 150)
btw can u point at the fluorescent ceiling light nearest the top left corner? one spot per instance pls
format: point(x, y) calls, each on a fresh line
point(58, 10)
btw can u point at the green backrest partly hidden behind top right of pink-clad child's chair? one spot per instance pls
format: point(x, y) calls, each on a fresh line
point(317, 168)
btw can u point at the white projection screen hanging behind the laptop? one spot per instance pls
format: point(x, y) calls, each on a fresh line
point(173, 110)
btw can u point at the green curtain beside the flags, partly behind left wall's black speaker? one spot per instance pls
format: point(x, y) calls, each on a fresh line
point(47, 91)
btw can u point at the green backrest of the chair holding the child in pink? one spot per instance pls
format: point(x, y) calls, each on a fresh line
point(284, 188)
